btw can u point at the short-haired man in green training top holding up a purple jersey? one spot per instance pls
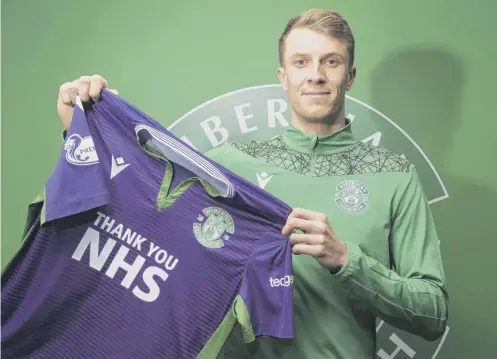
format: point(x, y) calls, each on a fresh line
point(362, 233)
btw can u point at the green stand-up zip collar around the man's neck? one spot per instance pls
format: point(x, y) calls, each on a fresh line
point(319, 145)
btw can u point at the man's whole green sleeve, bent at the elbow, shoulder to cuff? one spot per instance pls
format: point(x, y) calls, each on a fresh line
point(411, 295)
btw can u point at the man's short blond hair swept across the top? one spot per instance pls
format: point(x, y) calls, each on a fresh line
point(323, 21)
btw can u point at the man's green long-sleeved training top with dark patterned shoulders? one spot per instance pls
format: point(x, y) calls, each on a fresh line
point(375, 203)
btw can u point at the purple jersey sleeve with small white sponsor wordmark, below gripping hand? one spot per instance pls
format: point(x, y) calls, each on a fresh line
point(265, 307)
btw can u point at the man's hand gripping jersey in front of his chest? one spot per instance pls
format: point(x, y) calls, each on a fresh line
point(318, 238)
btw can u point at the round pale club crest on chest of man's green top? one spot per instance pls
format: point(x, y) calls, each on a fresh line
point(352, 196)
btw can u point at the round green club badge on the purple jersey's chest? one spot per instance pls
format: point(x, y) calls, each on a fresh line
point(214, 226)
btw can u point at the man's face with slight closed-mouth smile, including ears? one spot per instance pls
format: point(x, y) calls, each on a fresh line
point(316, 74)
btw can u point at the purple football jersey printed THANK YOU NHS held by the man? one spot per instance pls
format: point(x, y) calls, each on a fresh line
point(144, 248)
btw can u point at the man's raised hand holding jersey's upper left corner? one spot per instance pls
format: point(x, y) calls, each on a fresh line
point(87, 87)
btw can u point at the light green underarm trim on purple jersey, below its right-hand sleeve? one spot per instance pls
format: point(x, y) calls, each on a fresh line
point(238, 314)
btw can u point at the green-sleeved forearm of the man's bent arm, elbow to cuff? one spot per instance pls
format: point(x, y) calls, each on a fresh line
point(417, 304)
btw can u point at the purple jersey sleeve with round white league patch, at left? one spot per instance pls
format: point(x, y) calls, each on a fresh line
point(77, 183)
